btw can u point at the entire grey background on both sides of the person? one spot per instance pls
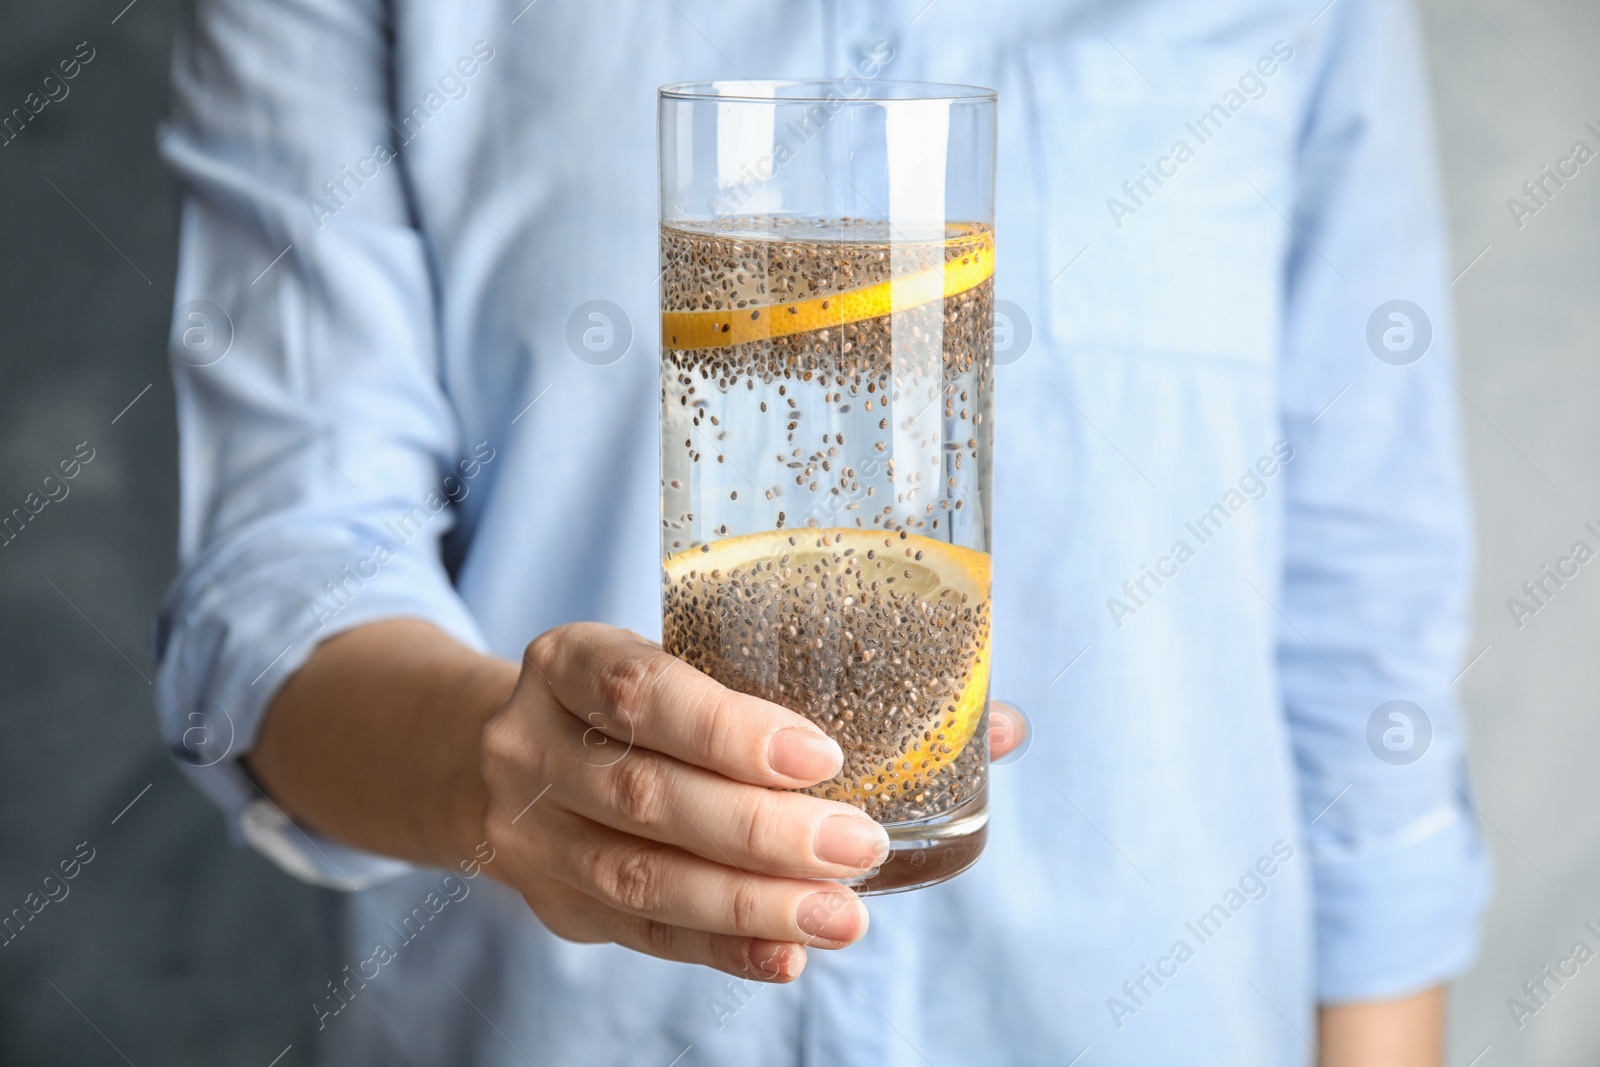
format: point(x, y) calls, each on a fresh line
point(177, 948)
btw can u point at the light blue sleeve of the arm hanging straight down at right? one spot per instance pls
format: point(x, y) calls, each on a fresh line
point(1378, 546)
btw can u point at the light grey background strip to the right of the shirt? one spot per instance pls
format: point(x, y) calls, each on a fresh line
point(1514, 86)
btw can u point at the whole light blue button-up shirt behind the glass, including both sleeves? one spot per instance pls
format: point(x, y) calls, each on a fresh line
point(1226, 532)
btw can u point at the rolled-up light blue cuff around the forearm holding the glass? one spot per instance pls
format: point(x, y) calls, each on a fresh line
point(241, 621)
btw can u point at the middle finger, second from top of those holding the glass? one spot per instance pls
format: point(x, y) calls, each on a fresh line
point(754, 829)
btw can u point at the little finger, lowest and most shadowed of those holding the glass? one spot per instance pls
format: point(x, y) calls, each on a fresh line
point(575, 916)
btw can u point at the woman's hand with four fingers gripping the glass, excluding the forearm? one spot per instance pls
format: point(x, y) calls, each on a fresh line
point(633, 799)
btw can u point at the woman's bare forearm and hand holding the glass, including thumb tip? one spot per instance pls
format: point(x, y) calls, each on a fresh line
point(628, 796)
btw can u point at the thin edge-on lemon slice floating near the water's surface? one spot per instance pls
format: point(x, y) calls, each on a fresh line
point(742, 326)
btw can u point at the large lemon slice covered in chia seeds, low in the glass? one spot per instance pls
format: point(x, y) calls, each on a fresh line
point(879, 637)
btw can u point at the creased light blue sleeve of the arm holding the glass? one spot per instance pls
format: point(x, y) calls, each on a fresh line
point(321, 458)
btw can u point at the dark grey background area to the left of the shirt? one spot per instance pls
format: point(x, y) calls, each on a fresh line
point(180, 948)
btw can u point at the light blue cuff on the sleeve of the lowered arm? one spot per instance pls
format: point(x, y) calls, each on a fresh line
point(1401, 919)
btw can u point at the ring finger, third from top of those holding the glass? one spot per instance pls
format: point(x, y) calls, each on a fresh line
point(674, 889)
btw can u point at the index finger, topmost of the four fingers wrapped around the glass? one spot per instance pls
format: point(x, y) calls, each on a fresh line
point(620, 685)
